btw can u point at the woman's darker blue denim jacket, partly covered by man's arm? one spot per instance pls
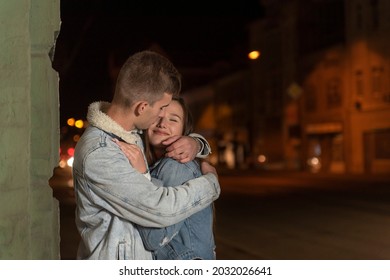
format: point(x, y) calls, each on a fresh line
point(190, 239)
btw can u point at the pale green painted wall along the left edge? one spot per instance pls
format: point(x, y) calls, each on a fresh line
point(29, 130)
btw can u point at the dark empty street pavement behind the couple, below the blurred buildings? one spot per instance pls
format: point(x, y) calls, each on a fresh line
point(284, 216)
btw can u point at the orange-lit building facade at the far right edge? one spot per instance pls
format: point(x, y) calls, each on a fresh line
point(368, 80)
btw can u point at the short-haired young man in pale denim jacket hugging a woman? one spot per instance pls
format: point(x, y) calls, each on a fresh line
point(112, 196)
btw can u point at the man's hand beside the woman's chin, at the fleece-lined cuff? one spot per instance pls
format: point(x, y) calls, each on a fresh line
point(181, 148)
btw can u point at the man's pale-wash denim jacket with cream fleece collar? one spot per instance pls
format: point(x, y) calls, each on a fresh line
point(111, 196)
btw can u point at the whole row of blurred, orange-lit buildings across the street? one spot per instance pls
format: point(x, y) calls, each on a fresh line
point(317, 99)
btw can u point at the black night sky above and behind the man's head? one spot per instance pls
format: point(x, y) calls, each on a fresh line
point(192, 34)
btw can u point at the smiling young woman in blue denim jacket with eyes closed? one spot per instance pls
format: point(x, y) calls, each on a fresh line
point(192, 238)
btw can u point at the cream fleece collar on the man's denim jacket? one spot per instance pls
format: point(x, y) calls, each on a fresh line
point(97, 117)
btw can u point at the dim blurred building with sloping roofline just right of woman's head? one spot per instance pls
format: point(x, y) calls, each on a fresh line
point(221, 111)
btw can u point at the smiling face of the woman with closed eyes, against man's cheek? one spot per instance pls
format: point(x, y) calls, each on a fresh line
point(171, 124)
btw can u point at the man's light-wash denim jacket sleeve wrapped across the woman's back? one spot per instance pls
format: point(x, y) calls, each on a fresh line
point(109, 182)
